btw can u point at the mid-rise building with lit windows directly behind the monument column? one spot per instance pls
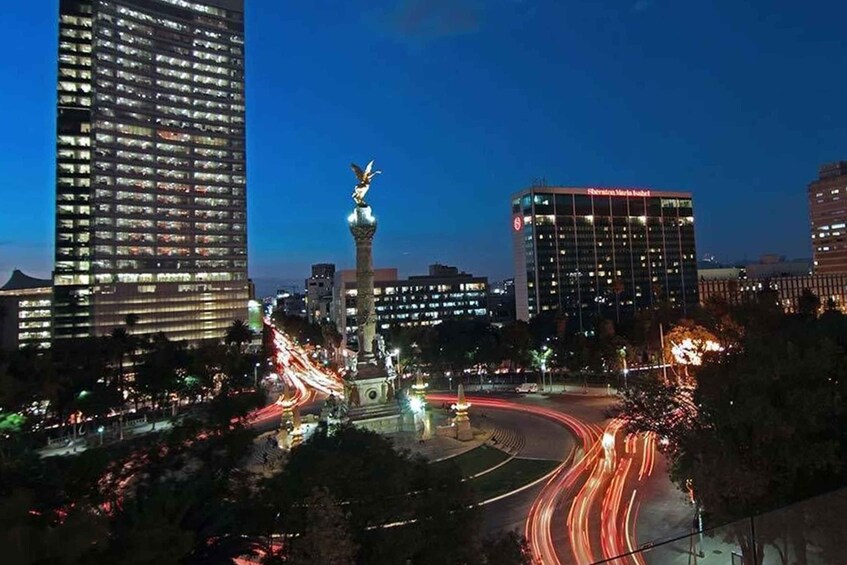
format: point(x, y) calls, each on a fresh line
point(422, 300)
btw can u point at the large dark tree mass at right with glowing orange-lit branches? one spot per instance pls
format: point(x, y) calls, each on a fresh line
point(759, 426)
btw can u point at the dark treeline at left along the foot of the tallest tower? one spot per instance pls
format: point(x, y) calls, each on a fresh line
point(100, 378)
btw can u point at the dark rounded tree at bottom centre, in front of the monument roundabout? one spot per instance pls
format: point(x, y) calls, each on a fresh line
point(397, 488)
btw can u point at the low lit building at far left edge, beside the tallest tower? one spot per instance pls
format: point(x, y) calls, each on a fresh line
point(26, 305)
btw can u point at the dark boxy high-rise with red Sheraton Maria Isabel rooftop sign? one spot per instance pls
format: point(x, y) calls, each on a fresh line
point(589, 253)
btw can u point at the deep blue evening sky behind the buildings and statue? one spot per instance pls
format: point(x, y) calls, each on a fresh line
point(463, 102)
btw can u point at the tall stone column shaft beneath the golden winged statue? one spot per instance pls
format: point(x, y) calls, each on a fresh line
point(363, 228)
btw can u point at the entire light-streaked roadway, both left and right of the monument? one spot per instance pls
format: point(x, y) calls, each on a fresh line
point(606, 499)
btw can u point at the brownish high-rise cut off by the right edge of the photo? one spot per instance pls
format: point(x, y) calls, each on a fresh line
point(828, 215)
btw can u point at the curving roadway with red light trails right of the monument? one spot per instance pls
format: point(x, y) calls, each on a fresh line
point(589, 510)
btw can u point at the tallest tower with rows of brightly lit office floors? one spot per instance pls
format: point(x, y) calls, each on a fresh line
point(150, 168)
